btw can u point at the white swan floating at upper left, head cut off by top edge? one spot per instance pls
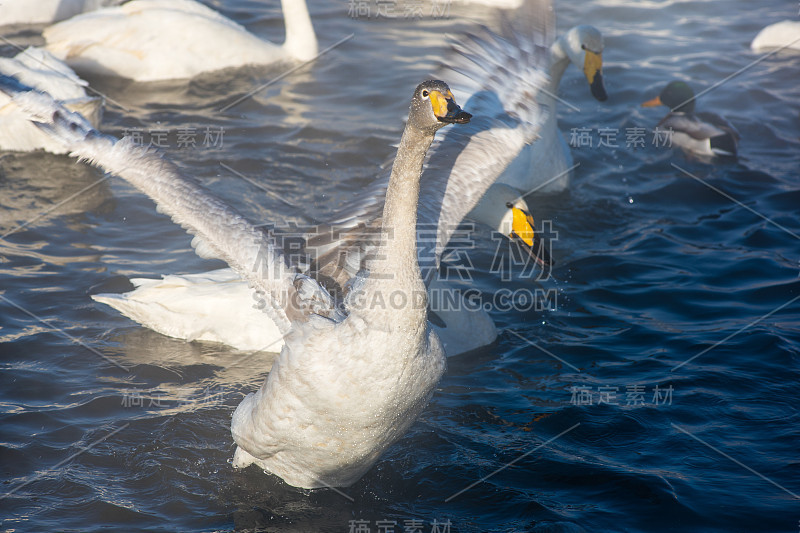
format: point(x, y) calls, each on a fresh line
point(150, 40)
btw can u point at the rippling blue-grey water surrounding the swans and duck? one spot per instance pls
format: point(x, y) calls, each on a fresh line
point(657, 392)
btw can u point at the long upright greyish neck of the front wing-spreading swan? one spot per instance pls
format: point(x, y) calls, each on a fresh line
point(397, 260)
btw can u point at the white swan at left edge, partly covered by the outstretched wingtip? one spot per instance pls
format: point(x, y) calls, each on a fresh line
point(37, 68)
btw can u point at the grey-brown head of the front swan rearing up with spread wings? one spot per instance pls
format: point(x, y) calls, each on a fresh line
point(433, 106)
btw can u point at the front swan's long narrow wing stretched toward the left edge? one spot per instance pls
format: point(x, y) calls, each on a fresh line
point(219, 231)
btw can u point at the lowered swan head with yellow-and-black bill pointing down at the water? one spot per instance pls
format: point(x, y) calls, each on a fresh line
point(503, 209)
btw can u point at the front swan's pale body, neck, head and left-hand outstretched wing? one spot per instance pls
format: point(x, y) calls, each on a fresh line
point(310, 423)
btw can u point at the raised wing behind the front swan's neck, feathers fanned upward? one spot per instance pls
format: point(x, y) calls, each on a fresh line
point(502, 75)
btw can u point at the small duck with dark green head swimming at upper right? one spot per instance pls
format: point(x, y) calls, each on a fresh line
point(702, 135)
